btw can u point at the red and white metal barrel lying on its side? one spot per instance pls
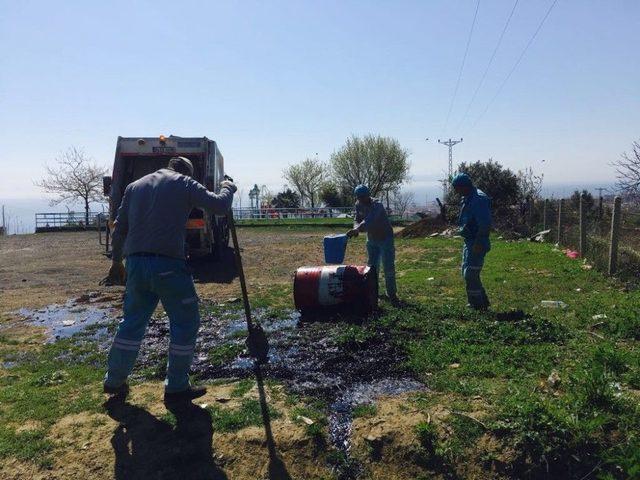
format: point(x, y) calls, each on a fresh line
point(331, 285)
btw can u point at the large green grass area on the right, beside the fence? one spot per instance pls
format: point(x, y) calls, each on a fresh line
point(589, 420)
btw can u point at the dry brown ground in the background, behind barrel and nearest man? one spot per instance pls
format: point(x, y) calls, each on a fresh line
point(38, 270)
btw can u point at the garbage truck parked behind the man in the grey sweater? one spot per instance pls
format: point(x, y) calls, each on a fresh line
point(138, 156)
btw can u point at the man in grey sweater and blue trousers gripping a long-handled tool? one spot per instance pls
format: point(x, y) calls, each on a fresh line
point(149, 231)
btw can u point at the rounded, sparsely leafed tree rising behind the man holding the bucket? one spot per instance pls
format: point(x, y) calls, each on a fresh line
point(376, 161)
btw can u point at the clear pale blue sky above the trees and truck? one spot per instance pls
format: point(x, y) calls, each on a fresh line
point(278, 81)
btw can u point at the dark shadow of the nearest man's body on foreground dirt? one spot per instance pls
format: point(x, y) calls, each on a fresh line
point(146, 447)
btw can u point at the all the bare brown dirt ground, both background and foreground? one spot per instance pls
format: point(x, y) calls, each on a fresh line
point(39, 270)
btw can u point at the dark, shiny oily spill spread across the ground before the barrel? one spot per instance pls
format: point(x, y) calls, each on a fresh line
point(337, 358)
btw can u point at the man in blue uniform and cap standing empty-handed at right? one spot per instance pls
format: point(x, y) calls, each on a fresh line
point(475, 225)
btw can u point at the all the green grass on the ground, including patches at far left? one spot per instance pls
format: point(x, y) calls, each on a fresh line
point(586, 421)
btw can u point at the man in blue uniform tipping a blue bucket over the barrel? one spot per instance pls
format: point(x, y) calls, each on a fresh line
point(371, 217)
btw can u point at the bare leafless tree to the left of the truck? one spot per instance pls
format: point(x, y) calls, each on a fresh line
point(74, 178)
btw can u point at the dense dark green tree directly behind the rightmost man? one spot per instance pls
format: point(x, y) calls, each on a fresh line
point(500, 183)
